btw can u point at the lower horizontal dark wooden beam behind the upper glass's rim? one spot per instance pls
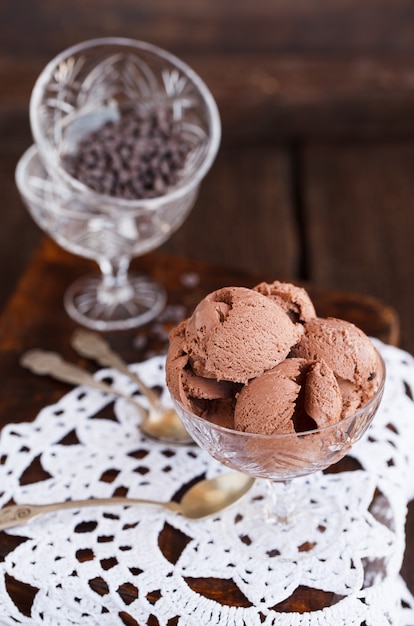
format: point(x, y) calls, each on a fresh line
point(265, 96)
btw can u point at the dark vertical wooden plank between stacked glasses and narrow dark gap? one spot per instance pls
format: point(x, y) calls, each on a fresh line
point(245, 214)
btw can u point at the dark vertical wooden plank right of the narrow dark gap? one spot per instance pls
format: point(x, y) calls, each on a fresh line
point(358, 213)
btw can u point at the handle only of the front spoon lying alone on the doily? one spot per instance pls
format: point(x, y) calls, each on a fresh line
point(17, 514)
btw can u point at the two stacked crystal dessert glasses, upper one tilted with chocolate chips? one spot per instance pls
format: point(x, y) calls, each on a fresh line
point(92, 87)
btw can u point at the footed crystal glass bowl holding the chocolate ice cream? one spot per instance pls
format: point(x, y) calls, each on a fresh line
point(280, 458)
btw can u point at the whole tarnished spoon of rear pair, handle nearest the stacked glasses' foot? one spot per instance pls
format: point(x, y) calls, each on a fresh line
point(161, 422)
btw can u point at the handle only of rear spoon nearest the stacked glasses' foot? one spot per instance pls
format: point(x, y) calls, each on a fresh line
point(94, 346)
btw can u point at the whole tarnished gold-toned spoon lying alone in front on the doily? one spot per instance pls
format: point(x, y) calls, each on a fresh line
point(205, 498)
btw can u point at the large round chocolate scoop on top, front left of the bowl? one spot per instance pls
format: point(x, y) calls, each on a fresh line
point(236, 334)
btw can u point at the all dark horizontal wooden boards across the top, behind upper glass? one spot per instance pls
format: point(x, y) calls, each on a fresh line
point(276, 69)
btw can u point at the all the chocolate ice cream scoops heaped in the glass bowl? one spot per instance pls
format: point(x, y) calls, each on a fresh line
point(259, 360)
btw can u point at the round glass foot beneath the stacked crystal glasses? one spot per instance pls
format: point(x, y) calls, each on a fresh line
point(134, 303)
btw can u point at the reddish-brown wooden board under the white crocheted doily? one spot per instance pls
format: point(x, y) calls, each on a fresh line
point(34, 317)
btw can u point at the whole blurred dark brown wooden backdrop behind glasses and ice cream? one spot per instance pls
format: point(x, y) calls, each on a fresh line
point(314, 179)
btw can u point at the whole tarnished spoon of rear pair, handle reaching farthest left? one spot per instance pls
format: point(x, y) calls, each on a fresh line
point(46, 363)
